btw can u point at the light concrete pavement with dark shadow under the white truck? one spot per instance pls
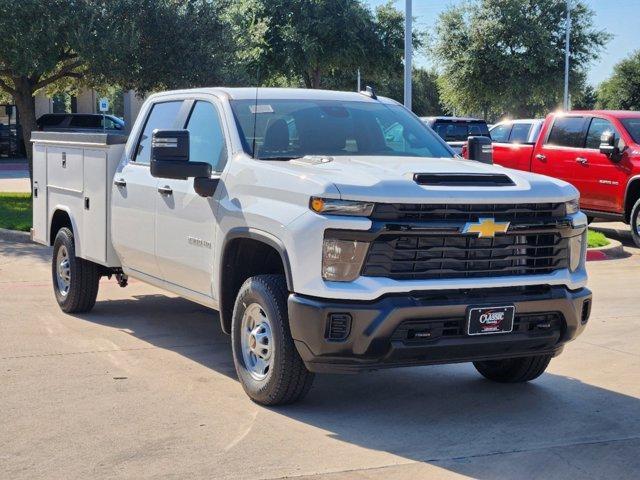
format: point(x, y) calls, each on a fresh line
point(144, 387)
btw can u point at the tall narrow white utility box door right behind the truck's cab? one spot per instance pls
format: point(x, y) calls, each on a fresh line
point(94, 235)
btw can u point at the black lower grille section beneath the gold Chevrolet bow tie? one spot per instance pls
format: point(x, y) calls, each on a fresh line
point(422, 256)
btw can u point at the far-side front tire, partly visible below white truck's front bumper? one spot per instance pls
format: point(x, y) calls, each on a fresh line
point(514, 370)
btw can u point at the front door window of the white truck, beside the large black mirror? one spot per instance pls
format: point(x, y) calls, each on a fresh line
point(206, 141)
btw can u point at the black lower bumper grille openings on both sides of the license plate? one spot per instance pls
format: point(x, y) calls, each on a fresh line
point(417, 331)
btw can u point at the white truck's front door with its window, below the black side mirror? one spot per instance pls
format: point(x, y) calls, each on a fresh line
point(186, 222)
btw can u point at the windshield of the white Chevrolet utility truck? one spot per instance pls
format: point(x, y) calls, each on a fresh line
point(286, 129)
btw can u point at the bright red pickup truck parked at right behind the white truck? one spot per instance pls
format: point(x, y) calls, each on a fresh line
point(597, 151)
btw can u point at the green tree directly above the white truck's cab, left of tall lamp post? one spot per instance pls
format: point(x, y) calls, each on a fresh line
point(322, 43)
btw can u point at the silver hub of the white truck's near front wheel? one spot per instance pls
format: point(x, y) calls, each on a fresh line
point(256, 341)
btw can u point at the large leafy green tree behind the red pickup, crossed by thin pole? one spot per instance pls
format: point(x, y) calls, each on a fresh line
point(507, 56)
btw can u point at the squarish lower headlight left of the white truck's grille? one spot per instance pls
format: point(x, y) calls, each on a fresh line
point(342, 259)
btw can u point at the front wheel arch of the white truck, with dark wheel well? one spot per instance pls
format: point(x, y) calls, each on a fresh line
point(265, 254)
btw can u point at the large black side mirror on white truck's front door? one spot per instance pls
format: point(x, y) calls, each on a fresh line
point(170, 156)
